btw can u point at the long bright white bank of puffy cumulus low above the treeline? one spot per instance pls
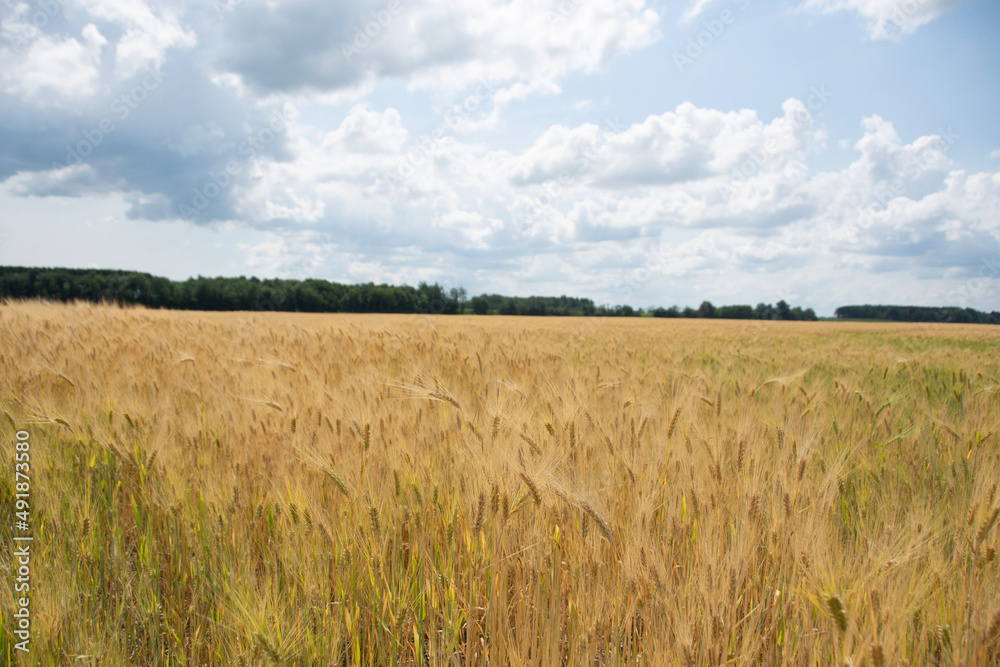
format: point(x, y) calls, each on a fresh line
point(740, 186)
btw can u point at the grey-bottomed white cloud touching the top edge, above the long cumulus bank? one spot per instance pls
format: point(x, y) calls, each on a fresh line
point(435, 46)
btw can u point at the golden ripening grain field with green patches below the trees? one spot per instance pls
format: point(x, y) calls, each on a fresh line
point(281, 488)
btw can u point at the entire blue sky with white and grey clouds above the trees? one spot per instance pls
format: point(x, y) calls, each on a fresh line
point(641, 152)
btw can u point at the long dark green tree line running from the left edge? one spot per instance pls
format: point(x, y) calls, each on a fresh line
point(322, 296)
